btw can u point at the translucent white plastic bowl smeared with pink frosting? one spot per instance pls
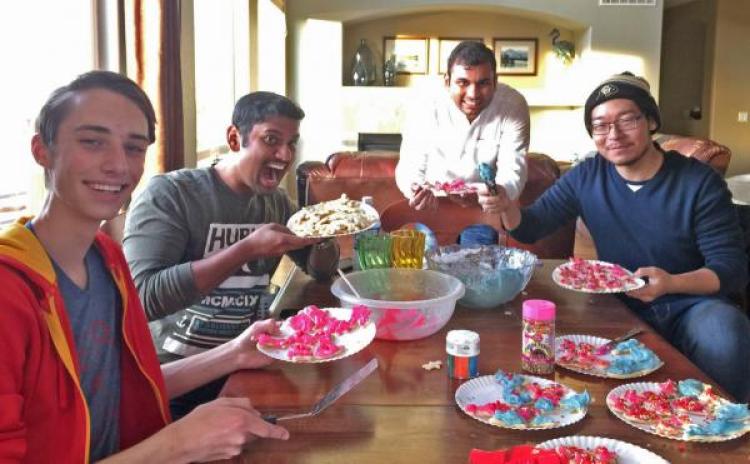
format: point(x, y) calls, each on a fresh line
point(406, 304)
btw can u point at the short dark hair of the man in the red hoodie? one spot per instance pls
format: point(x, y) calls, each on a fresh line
point(57, 106)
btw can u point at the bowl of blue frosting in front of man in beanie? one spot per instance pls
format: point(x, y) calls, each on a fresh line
point(492, 274)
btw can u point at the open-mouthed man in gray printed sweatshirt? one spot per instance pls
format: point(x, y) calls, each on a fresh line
point(202, 244)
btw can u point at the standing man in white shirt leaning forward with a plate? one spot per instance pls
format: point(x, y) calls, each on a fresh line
point(476, 120)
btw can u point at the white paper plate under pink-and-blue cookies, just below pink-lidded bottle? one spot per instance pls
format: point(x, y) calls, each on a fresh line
point(486, 389)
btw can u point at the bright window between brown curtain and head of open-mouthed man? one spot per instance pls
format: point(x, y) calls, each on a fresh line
point(221, 70)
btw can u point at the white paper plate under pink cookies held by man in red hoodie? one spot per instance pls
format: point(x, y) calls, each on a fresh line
point(352, 342)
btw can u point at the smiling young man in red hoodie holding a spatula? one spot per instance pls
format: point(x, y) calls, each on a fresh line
point(79, 377)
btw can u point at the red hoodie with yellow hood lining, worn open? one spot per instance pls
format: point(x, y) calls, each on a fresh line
point(43, 413)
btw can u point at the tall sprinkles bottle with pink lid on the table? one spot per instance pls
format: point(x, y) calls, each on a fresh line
point(538, 337)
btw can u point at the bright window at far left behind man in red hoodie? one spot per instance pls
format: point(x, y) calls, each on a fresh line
point(47, 49)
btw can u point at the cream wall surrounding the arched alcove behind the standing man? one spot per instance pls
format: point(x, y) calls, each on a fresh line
point(609, 40)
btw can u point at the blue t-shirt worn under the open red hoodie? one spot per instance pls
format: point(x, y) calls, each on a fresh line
point(94, 314)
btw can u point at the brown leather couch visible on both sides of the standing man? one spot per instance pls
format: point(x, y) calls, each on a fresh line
point(373, 173)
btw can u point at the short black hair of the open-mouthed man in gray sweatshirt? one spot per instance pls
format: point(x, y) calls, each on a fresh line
point(258, 107)
